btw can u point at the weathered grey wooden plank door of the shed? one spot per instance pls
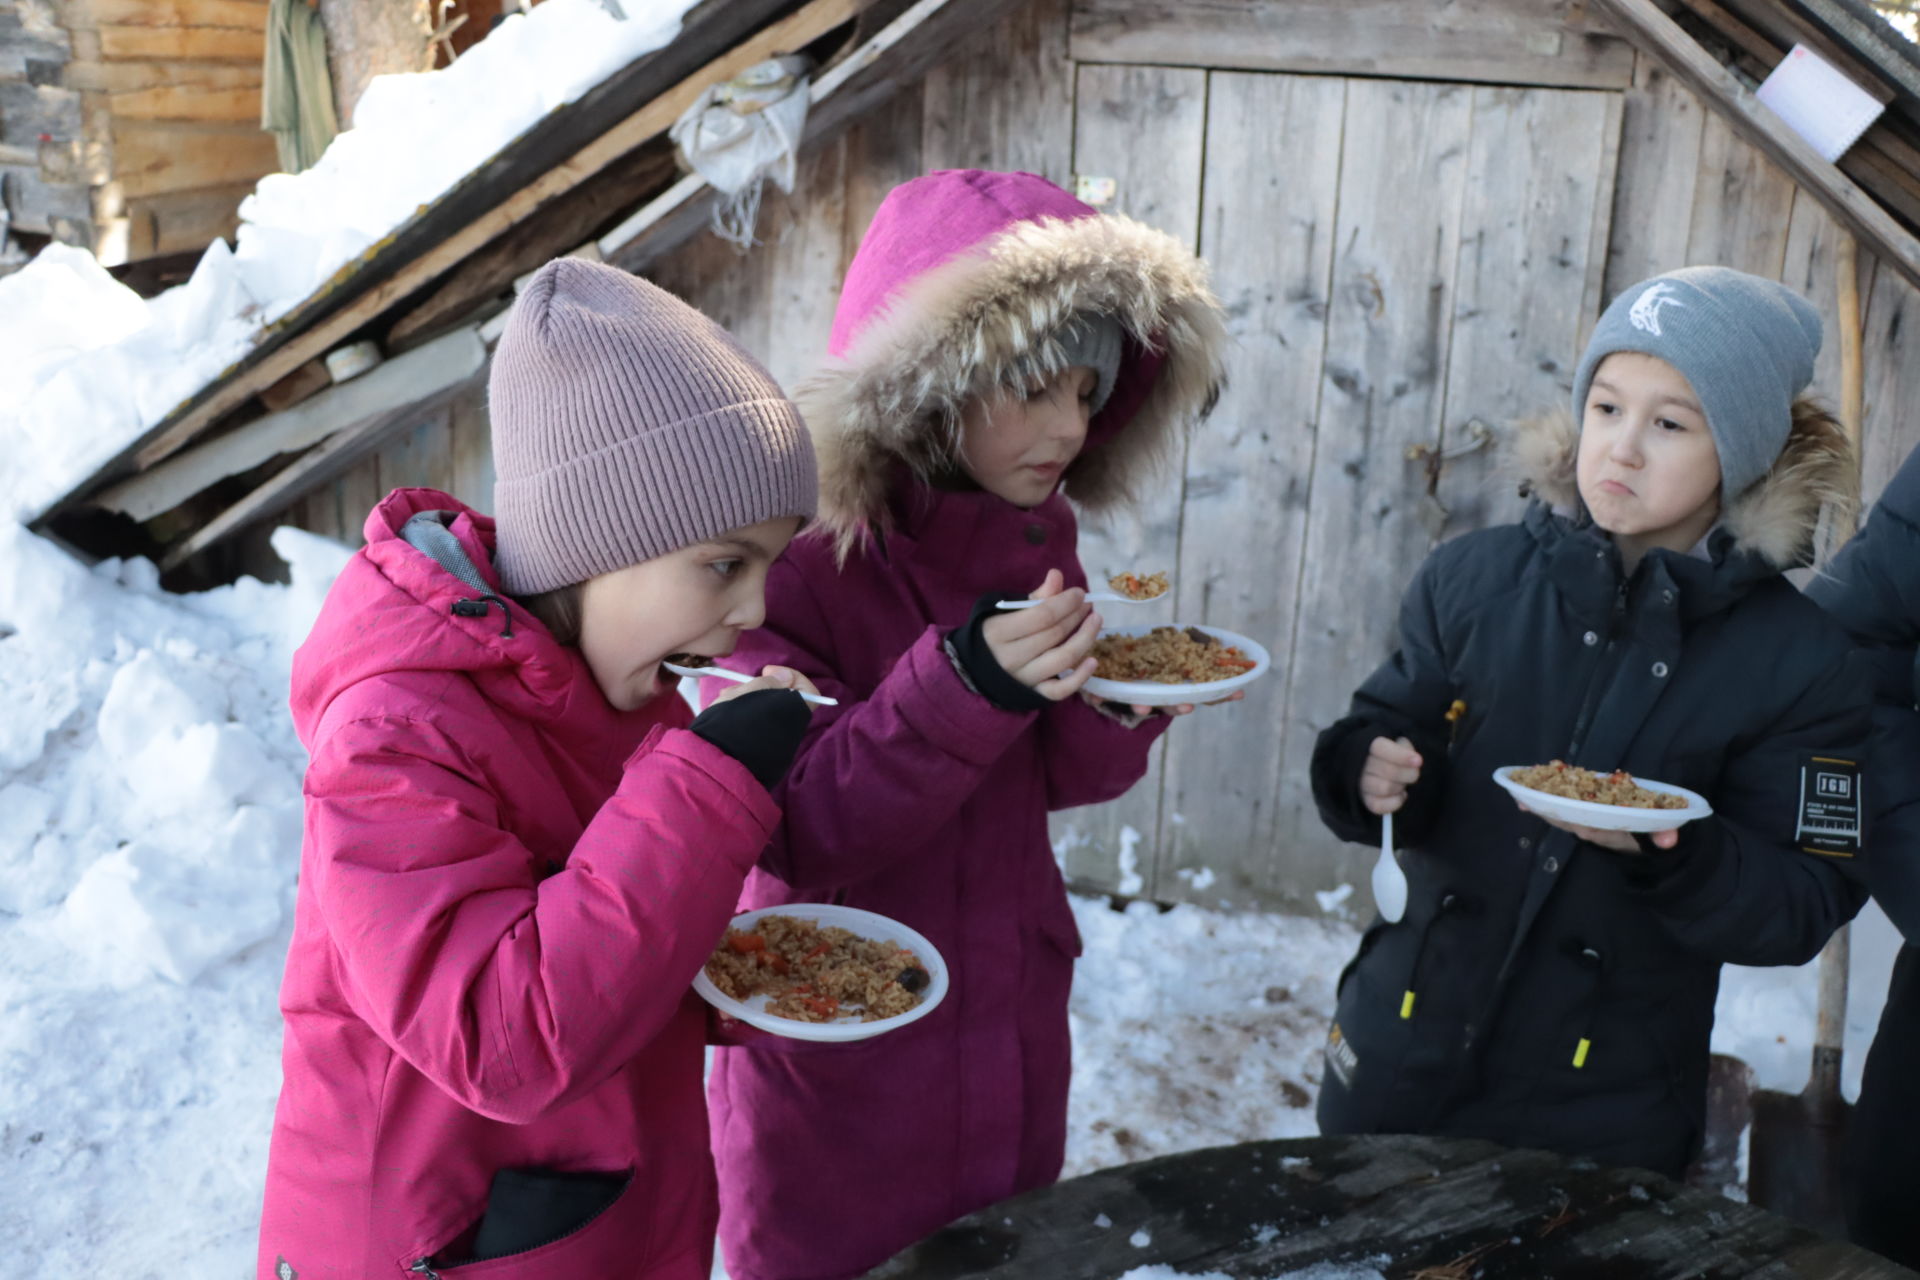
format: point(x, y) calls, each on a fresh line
point(1404, 266)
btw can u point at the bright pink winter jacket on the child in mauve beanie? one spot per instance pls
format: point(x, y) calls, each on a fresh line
point(504, 893)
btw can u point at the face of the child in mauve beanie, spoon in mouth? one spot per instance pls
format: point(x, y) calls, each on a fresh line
point(696, 600)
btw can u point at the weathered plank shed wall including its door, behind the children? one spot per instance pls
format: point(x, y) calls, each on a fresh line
point(1412, 225)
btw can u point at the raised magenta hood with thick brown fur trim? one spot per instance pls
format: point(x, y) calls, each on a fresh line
point(963, 285)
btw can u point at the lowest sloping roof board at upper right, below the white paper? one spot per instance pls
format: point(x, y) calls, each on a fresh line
point(1654, 32)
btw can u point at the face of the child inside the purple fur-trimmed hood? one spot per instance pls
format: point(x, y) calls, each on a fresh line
point(1019, 444)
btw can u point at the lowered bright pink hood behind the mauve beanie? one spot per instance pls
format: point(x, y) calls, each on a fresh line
point(393, 611)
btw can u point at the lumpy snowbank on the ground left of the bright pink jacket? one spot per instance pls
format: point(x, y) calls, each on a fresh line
point(149, 845)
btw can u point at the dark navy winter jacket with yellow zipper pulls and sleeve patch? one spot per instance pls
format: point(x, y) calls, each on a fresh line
point(1545, 991)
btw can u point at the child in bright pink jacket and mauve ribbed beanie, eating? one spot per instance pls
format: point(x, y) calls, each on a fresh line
point(521, 845)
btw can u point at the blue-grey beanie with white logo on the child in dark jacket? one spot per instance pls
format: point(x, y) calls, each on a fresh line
point(1746, 344)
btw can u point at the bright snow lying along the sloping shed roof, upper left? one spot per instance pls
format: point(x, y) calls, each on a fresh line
point(91, 364)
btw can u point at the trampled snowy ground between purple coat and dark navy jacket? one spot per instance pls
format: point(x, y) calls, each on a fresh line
point(1197, 1030)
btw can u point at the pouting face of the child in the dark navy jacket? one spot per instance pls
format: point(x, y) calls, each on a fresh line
point(1648, 469)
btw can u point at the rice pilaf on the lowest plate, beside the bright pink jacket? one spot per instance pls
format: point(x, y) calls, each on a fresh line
point(817, 974)
